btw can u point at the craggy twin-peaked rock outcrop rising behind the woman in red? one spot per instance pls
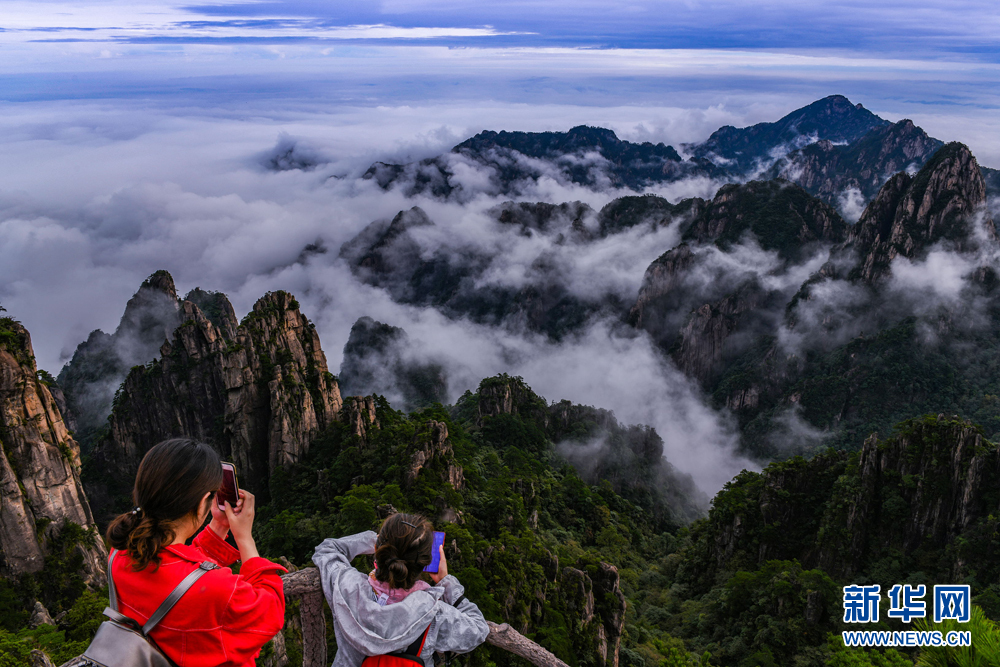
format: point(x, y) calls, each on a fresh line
point(259, 396)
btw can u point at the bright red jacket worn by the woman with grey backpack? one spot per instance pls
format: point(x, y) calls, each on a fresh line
point(223, 620)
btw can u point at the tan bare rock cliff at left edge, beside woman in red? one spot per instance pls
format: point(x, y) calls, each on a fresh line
point(40, 488)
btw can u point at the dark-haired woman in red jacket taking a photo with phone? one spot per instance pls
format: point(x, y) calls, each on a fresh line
point(224, 619)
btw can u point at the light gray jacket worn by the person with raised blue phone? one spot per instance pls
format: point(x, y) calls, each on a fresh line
point(364, 628)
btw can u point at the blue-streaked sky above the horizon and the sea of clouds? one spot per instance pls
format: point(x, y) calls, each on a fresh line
point(892, 55)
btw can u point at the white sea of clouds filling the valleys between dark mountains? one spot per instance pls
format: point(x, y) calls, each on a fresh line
point(95, 196)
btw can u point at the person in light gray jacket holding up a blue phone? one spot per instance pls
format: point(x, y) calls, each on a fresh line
point(389, 610)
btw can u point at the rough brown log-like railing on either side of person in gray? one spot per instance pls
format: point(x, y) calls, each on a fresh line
point(303, 585)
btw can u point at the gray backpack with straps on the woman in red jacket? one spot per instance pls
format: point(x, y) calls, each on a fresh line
point(121, 641)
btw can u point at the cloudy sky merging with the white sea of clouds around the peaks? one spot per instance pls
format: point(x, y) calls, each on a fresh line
point(131, 137)
